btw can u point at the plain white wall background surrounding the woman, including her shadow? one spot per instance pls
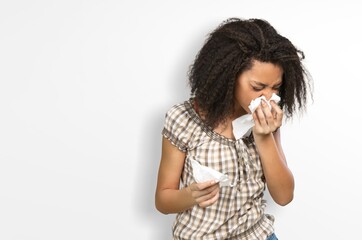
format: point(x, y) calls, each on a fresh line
point(84, 86)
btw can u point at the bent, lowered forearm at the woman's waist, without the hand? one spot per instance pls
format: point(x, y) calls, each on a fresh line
point(174, 200)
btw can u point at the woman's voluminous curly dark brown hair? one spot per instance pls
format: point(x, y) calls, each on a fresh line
point(230, 50)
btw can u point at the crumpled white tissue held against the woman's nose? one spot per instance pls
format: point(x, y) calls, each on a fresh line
point(242, 126)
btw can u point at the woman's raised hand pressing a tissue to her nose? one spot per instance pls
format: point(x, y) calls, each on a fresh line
point(267, 120)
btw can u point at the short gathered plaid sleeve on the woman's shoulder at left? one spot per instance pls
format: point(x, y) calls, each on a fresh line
point(177, 127)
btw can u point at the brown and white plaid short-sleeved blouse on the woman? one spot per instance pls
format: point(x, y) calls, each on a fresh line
point(239, 211)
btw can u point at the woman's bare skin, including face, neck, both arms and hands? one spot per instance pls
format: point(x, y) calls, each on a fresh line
point(263, 79)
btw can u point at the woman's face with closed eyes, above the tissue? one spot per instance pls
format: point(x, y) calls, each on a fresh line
point(263, 79)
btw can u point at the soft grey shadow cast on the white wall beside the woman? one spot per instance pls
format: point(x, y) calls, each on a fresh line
point(150, 156)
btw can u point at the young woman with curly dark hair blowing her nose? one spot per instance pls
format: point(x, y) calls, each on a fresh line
point(240, 61)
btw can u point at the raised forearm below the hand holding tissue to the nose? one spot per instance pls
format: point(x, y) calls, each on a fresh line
point(279, 178)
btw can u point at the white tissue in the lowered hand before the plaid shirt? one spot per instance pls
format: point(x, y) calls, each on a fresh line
point(203, 174)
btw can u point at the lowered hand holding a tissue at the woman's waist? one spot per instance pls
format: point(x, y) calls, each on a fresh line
point(205, 193)
